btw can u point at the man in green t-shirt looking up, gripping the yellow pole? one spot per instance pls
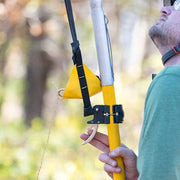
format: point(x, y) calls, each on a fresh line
point(159, 146)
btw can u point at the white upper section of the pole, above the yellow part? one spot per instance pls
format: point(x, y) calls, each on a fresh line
point(100, 34)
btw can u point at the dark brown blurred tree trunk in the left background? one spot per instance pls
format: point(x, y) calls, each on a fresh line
point(38, 68)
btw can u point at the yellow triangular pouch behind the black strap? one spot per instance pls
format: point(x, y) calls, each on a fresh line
point(73, 90)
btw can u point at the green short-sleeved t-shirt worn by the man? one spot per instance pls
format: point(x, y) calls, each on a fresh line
point(159, 146)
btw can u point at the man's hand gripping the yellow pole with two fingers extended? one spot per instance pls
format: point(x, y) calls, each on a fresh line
point(101, 142)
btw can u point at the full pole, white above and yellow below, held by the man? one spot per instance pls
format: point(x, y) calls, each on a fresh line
point(106, 75)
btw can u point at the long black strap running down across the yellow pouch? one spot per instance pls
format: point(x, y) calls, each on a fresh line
point(77, 59)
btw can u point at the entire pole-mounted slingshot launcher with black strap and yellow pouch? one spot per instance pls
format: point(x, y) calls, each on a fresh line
point(83, 83)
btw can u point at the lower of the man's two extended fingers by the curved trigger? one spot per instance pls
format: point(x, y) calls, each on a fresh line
point(96, 143)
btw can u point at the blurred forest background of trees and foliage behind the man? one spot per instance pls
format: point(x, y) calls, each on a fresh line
point(35, 52)
